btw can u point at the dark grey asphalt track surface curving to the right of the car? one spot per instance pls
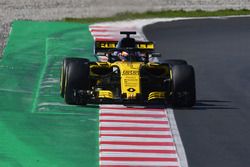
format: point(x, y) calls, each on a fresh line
point(216, 132)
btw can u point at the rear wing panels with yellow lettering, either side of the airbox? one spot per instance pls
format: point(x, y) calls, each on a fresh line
point(105, 46)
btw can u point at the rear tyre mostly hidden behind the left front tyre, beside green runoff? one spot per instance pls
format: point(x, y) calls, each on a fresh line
point(65, 63)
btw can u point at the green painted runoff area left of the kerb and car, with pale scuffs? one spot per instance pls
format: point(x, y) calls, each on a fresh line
point(37, 129)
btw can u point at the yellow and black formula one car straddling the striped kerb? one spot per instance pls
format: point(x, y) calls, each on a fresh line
point(128, 76)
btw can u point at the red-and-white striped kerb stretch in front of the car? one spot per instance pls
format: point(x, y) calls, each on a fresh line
point(142, 140)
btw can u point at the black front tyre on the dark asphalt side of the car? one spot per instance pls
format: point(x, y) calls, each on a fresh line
point(183, 85)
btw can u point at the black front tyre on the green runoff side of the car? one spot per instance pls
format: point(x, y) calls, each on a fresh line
point(76, 79)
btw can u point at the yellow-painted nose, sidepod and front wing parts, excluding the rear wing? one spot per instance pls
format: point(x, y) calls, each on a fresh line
point(130, 79)
